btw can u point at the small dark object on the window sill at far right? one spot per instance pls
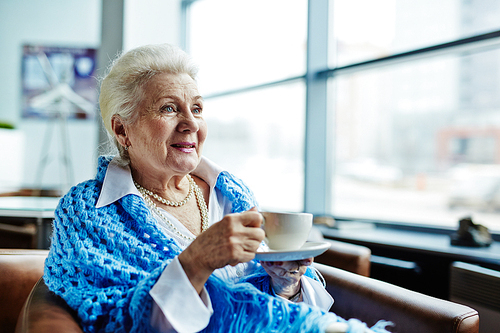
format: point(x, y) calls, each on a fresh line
point(471, 234)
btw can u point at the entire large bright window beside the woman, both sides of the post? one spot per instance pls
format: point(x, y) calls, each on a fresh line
point(413, 88)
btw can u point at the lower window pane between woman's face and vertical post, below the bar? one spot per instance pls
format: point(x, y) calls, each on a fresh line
point(259, 136)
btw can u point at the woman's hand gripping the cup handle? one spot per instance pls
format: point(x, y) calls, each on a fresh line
point(233, 240)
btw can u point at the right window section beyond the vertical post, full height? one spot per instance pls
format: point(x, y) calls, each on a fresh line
point(417, 137)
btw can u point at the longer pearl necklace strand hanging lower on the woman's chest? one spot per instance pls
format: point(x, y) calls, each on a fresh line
point(164, 220)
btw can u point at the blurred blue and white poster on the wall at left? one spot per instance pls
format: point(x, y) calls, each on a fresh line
point(58, 81)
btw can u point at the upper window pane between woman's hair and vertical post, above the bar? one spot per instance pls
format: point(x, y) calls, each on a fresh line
point(243, 43)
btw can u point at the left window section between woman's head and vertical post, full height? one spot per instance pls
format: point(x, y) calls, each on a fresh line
point(252, 55)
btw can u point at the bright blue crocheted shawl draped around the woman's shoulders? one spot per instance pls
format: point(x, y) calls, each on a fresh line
point(103, 263)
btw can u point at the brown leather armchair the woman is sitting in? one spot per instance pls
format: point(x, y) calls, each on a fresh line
point(355, 296)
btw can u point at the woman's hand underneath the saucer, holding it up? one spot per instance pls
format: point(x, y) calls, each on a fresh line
point(285, 275)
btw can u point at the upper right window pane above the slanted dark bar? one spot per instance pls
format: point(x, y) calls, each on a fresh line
point(365, 29)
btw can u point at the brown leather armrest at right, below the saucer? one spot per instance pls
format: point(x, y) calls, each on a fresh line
point(372, 300)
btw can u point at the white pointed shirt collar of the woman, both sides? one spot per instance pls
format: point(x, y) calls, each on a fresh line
point(118, 180)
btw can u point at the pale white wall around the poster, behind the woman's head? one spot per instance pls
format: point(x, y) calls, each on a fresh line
point(73, 23)
